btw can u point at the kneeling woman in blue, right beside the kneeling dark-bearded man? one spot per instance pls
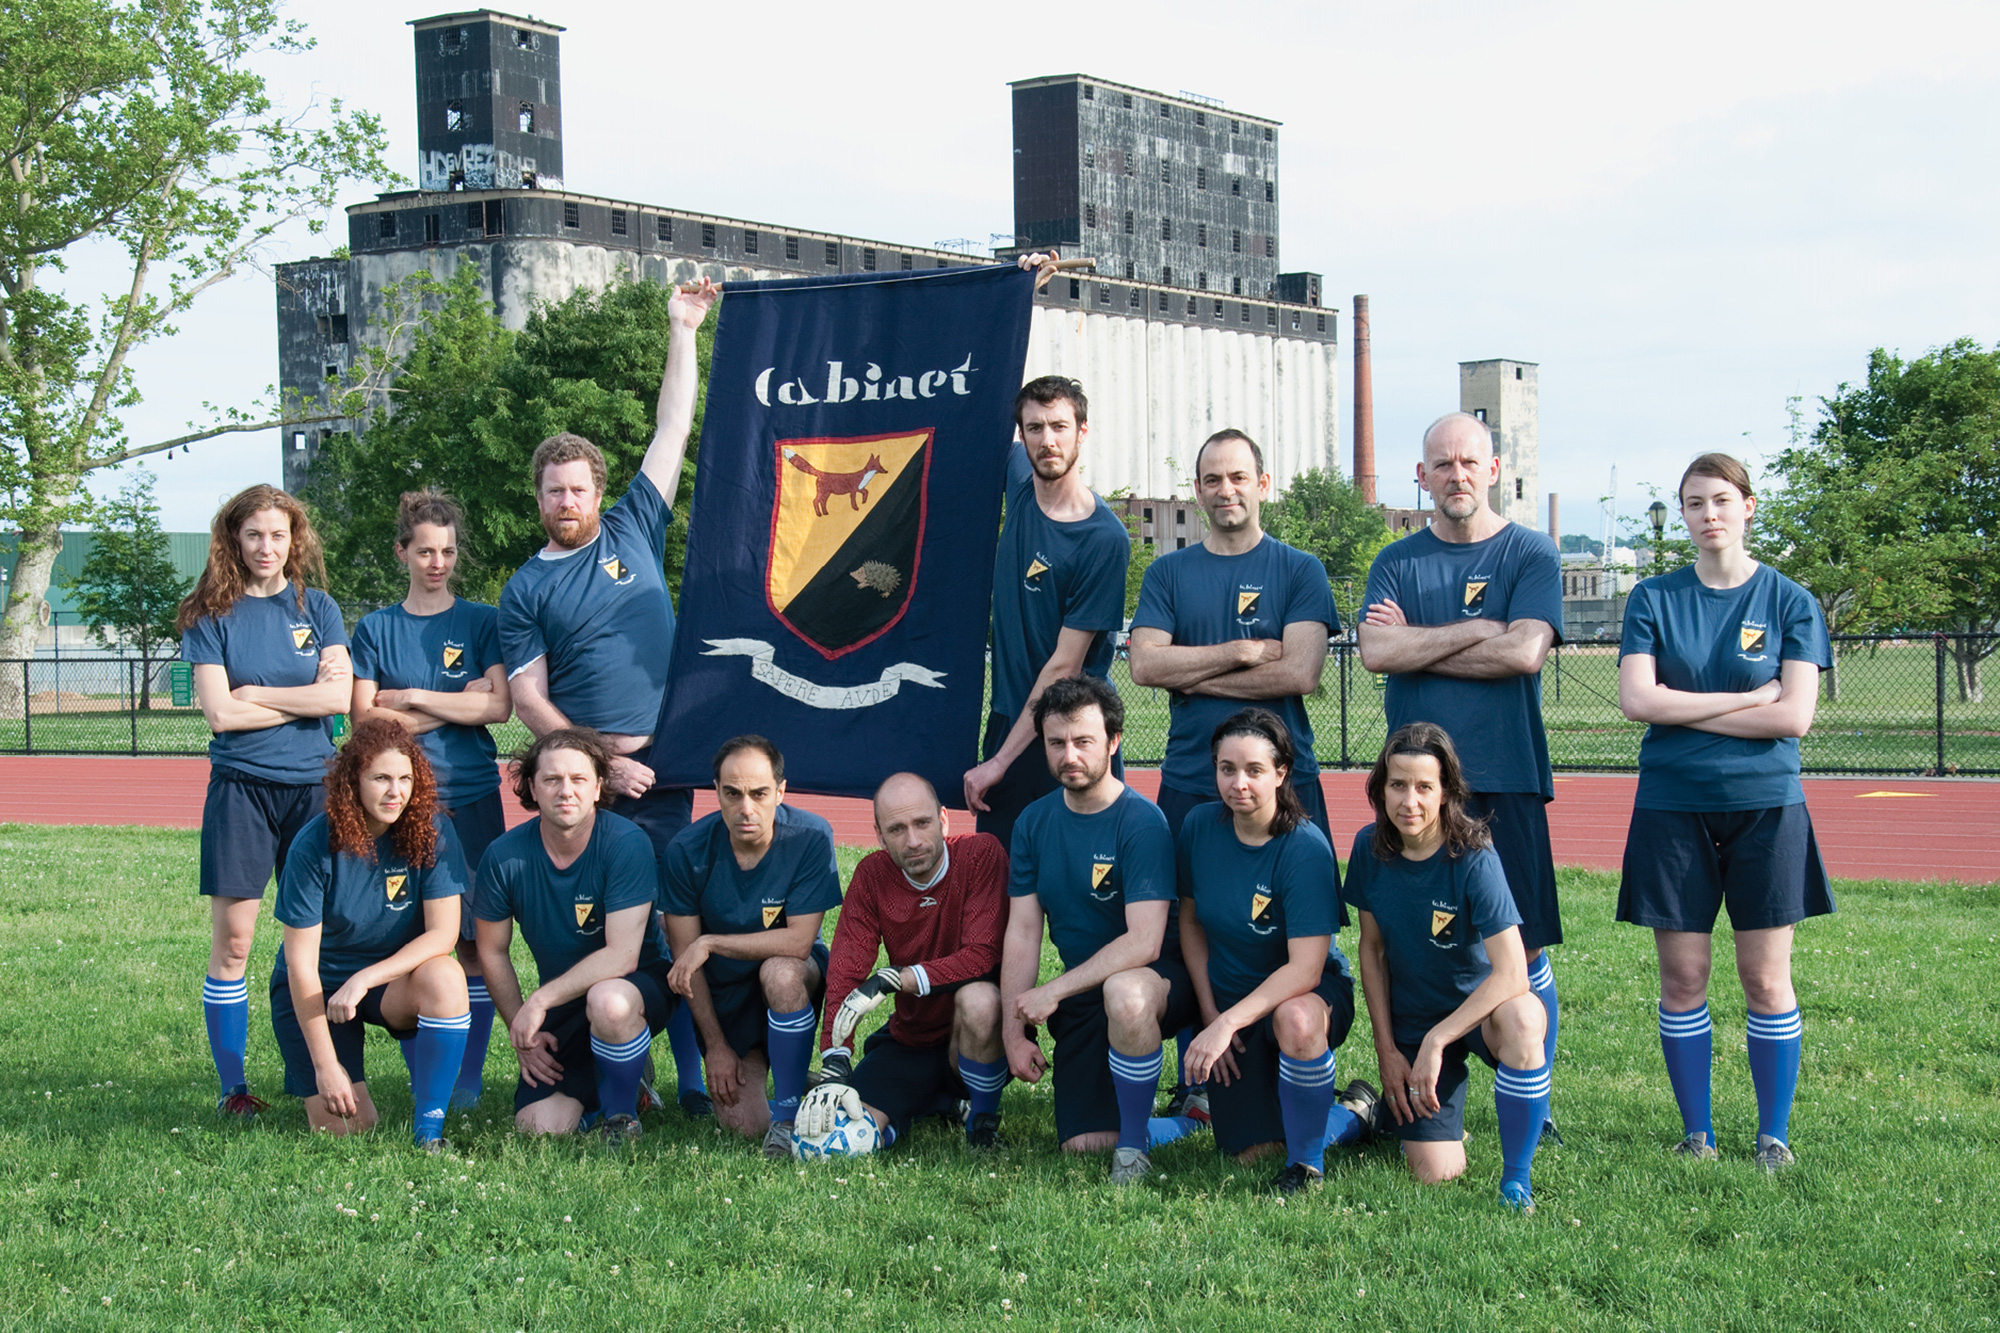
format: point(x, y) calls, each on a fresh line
point(1259, 912)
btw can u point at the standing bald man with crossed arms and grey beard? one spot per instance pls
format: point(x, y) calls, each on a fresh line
point(1463, 615)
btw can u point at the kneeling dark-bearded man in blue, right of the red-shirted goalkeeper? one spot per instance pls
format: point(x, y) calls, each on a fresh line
point(1097, 860)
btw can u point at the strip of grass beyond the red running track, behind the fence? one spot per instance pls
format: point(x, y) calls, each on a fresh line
point(1887, 718)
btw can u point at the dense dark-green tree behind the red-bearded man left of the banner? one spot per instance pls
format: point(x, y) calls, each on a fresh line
point(465, 411)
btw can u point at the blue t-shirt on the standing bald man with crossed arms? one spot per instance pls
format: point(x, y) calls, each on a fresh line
point(1495, 726)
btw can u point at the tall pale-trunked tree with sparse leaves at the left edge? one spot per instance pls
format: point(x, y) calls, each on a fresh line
point(145, 129)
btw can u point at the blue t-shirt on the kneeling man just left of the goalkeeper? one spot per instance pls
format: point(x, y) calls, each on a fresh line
point(699, 878)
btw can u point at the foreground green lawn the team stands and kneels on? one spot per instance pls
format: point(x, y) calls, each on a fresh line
point(129, 1206)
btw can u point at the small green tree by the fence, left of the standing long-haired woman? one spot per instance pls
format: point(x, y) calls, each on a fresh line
point(129, 589)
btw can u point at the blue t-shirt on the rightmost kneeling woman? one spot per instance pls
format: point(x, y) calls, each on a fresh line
point(1435, 918)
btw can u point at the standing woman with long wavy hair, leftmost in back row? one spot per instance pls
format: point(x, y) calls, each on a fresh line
point(271, 665)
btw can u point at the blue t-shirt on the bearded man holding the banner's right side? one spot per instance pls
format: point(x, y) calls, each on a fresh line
point(1051, 577)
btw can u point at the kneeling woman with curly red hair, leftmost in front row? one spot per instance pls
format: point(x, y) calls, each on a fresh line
point(369, 904)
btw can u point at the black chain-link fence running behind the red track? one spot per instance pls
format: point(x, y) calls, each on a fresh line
point(1891, 706)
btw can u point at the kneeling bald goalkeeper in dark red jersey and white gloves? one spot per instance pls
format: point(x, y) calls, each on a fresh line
point(937, 906)
